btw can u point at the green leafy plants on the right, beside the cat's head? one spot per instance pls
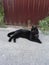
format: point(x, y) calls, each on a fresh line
point(44, 25)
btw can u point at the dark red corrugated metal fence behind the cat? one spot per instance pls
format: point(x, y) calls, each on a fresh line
point(23, 10)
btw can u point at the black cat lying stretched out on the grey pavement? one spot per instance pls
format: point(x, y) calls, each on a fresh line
point(32, 35)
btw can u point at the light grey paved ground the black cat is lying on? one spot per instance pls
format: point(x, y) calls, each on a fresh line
point(23, 52)
